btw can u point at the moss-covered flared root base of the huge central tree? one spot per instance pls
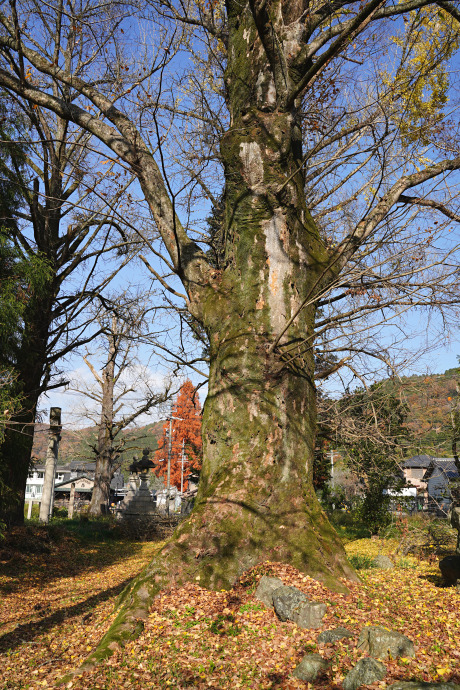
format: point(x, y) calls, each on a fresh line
point(213, 548)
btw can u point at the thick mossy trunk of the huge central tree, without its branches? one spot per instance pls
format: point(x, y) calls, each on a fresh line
point(256, 500)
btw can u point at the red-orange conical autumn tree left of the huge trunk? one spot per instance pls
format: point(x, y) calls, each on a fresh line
point(186, 435)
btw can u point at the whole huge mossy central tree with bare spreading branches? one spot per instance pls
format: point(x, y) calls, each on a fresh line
point(278, 73)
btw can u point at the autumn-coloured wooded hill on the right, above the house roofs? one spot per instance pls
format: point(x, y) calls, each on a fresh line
point(430, 399)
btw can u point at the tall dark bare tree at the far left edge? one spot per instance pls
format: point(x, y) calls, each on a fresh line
point(64, 223)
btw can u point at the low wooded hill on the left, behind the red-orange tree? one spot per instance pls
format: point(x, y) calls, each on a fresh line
point(74, 444)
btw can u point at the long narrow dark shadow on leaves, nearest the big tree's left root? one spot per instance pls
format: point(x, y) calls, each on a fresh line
point(26, 632)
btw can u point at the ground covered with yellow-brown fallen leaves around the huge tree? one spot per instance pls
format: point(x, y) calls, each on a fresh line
point(55, 606)
